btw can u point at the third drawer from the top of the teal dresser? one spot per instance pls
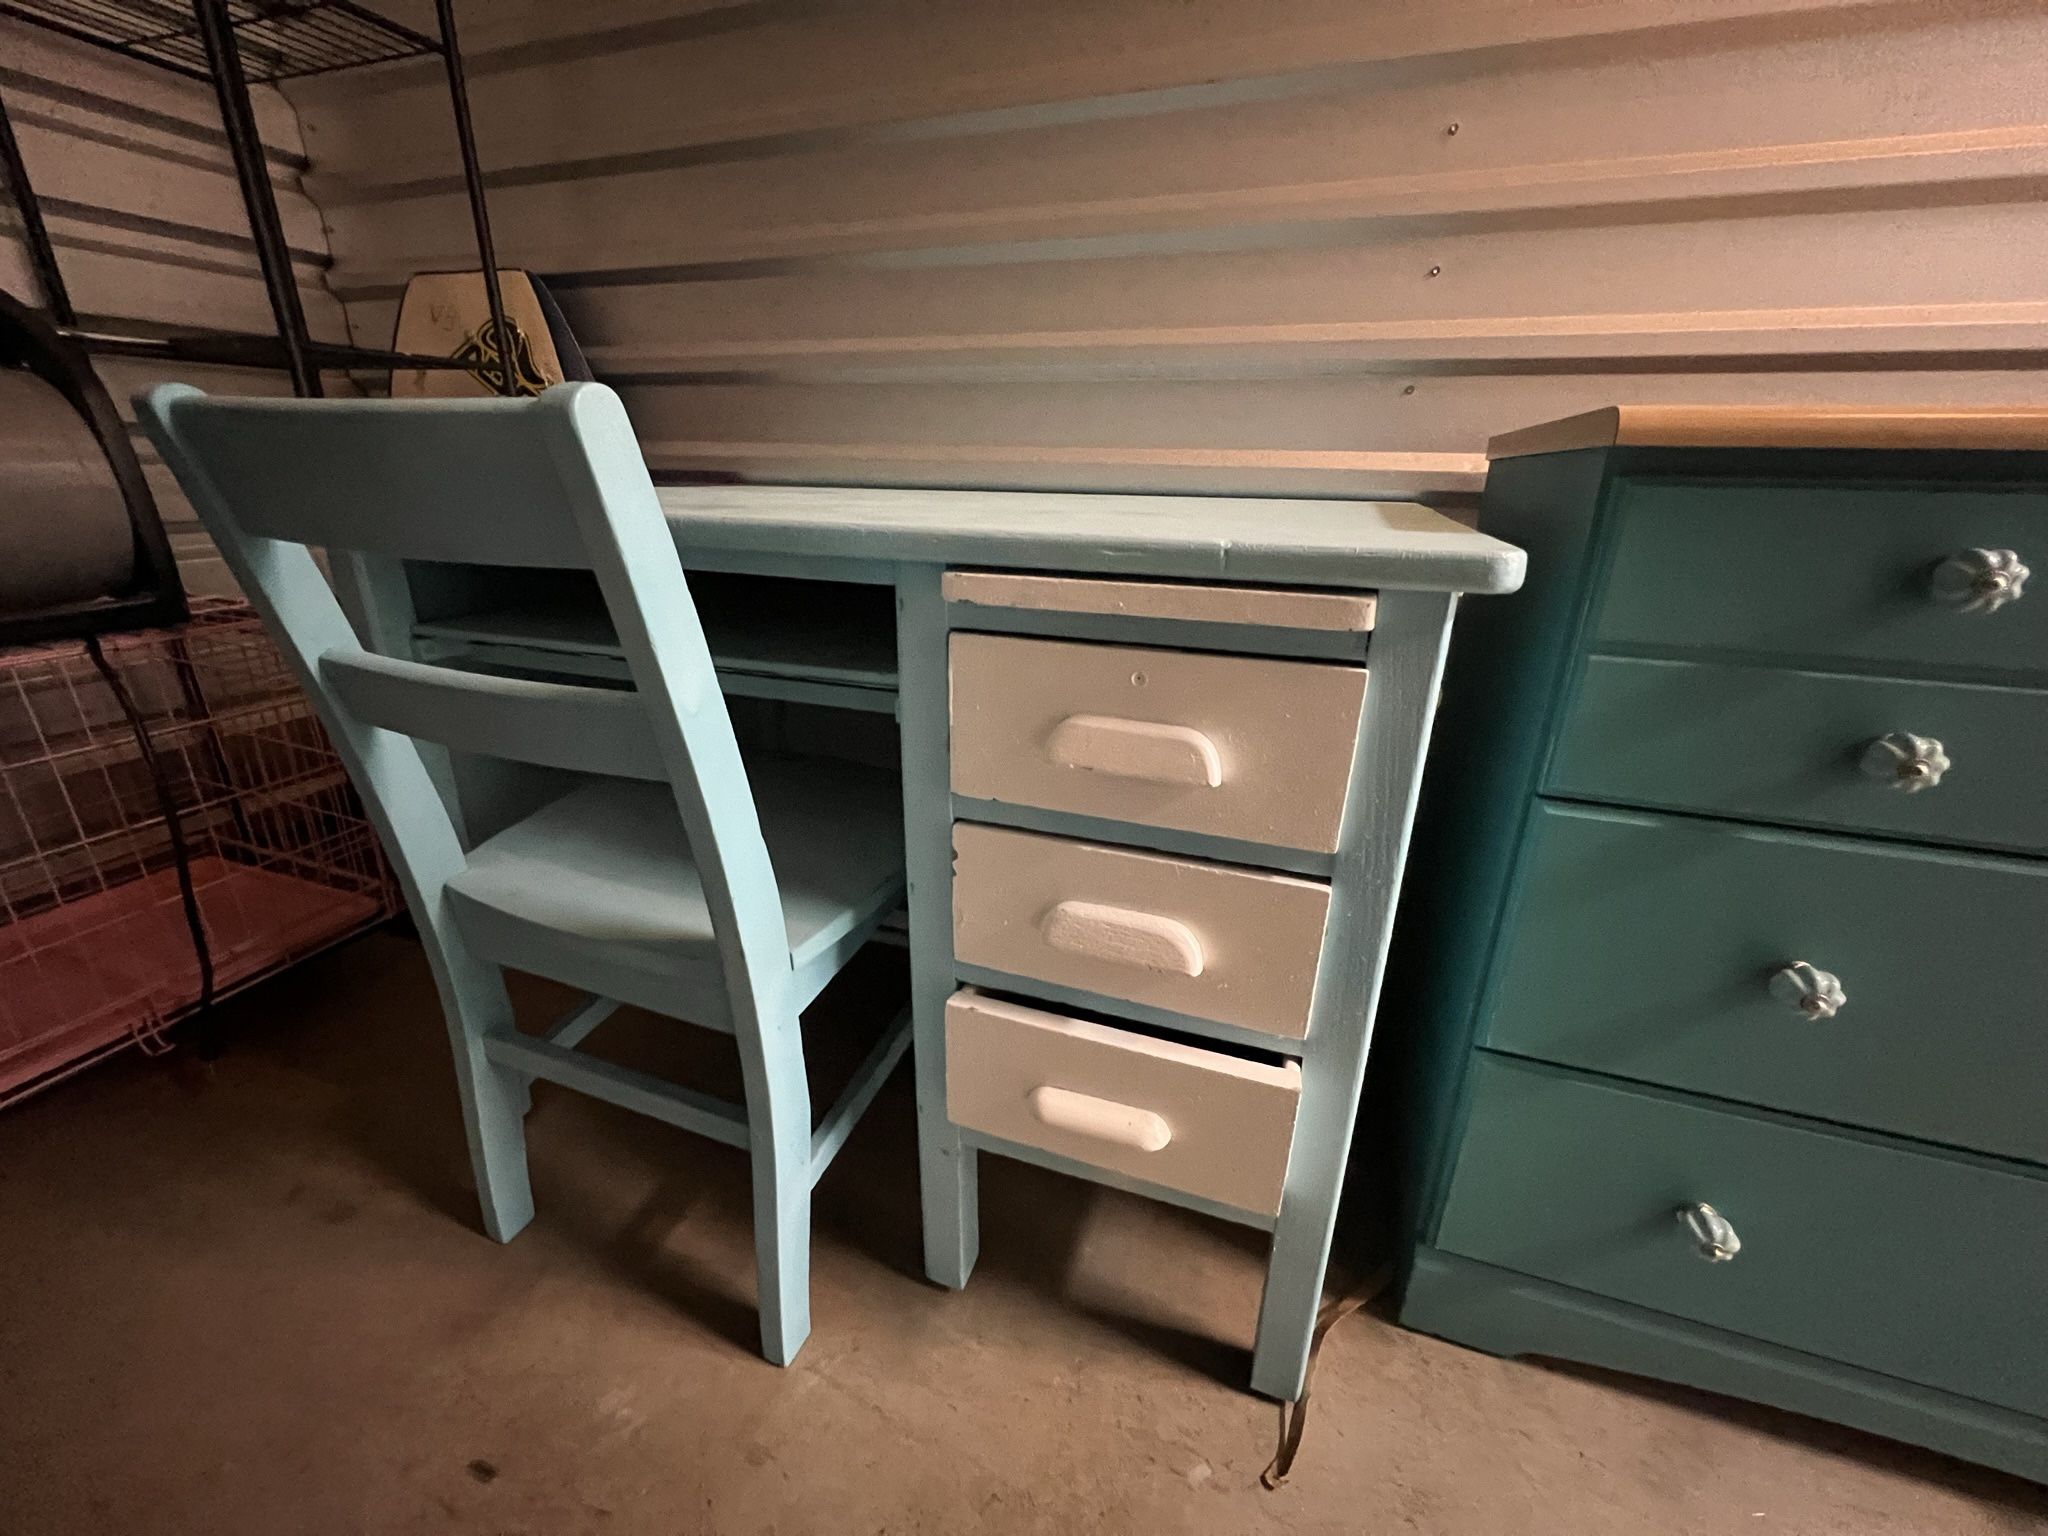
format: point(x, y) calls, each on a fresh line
point(1646, 947)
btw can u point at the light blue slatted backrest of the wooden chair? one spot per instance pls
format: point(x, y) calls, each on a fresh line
point(554, 482)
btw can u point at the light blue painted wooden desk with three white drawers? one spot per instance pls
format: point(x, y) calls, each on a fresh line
point(1095, 1037)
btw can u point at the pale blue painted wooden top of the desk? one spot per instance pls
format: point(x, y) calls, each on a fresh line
point(1234, 538)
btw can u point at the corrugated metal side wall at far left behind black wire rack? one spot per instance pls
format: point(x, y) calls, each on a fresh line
point(144, 212)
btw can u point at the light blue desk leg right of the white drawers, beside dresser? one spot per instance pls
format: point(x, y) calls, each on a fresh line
point(1408, 663)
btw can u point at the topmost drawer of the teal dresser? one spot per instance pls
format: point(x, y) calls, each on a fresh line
point(1822, 572)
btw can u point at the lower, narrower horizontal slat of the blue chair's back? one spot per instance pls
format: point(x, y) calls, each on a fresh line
point(548, 724)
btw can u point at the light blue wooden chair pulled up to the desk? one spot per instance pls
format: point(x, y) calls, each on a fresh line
point(675, 876)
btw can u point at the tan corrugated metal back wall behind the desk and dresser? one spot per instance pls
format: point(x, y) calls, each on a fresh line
point(1213, 245)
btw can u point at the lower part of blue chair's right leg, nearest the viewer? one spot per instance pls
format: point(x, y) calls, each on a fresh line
point(779, 1129)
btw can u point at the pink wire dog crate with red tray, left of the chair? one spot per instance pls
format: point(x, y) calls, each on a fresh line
point(95, 947)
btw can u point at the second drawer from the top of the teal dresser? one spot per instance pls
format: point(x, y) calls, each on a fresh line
point(1789, 746)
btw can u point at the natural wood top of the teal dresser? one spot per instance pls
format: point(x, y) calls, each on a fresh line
point(1783, 427)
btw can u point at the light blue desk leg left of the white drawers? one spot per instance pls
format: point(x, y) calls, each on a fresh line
point(945, 1166)
